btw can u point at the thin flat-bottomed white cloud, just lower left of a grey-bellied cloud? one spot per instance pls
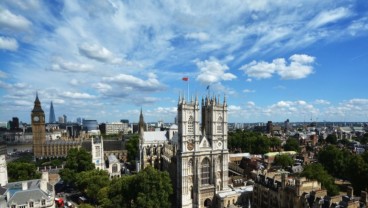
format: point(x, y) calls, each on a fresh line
point(62, 65)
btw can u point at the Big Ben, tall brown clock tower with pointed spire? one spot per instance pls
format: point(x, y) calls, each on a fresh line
point(38, 129)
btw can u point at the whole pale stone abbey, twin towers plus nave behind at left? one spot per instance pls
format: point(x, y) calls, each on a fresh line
point(194, 152)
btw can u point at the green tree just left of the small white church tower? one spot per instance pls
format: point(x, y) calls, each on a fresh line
point(77, 160)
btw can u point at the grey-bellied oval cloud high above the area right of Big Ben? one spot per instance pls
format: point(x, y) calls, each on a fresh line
point(99, 53)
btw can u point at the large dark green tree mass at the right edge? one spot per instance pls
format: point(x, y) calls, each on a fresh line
point(343, 164)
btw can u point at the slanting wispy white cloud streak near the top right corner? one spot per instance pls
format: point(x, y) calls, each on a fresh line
point(330, 16)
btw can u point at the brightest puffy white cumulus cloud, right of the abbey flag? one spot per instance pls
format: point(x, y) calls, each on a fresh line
point(300, 66)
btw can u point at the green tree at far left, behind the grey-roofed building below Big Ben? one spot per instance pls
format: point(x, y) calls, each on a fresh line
point(20, 171)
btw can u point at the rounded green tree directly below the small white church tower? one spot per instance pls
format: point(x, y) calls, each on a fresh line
point(91, 182)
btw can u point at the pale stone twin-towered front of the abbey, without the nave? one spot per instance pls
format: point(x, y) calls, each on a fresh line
point(202, 156)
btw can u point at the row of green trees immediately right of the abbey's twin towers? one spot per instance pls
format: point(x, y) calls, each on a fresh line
point(257, 143)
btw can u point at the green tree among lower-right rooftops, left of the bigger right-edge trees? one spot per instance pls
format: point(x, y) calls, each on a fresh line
point(317, 172)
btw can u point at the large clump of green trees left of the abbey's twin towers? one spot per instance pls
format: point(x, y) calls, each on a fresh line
point(148, 188)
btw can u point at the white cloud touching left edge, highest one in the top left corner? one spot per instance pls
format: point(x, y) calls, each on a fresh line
point(12, 21)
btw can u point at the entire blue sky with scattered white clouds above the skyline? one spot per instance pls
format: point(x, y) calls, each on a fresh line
point(104, 60)
